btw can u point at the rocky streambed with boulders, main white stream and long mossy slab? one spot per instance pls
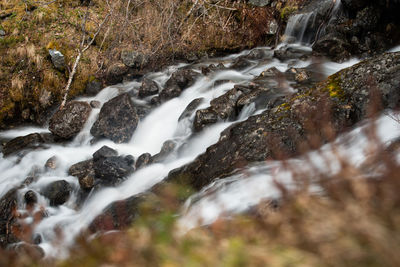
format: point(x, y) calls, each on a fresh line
point(191, 124)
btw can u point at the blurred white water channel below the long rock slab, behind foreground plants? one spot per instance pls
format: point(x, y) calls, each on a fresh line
point(240, 192)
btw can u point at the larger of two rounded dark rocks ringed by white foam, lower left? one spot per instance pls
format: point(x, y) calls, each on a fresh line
point(57, 192)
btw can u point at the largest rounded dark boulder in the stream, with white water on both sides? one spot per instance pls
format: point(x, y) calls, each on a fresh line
point(117, 120)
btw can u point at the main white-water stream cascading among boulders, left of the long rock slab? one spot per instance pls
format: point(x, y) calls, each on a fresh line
point(160, 125)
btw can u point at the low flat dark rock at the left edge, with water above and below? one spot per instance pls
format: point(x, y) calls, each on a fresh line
point(30, 141)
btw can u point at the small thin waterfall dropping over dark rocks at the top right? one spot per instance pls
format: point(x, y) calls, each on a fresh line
point(306, 27)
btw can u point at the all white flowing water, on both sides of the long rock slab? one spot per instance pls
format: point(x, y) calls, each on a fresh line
point(234, 194)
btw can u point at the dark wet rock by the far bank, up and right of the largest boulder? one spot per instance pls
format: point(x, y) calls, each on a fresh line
point(179, 81)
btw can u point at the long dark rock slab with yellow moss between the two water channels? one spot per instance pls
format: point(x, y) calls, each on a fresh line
point(344, 99)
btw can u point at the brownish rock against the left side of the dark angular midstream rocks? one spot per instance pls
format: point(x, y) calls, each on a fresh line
point(84, 170)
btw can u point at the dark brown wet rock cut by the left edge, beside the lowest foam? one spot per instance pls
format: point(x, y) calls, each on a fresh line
point(8, 207)
